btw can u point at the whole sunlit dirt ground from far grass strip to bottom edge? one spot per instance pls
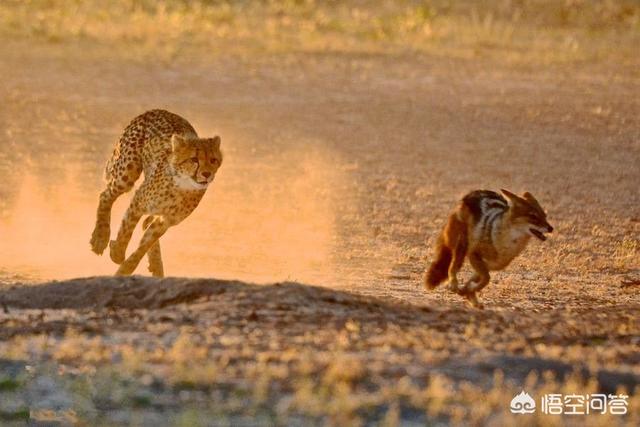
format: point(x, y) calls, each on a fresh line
point(339, 172)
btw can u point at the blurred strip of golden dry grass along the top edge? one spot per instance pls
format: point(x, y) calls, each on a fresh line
point(533, 30)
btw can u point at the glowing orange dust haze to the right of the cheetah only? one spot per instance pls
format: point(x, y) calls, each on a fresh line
point(278, 222)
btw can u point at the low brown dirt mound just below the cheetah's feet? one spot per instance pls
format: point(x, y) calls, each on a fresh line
point(138, 292)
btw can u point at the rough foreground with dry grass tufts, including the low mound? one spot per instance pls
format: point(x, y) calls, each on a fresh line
point(305, 356)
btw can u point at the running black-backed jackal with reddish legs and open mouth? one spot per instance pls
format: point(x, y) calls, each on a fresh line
point(490, 230)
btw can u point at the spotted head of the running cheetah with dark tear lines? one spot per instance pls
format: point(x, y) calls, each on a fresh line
point(195, 161)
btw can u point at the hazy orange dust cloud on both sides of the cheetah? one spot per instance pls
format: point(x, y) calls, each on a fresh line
point(263, 222)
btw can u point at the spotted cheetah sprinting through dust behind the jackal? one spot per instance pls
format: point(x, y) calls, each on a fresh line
point(178, 167)
